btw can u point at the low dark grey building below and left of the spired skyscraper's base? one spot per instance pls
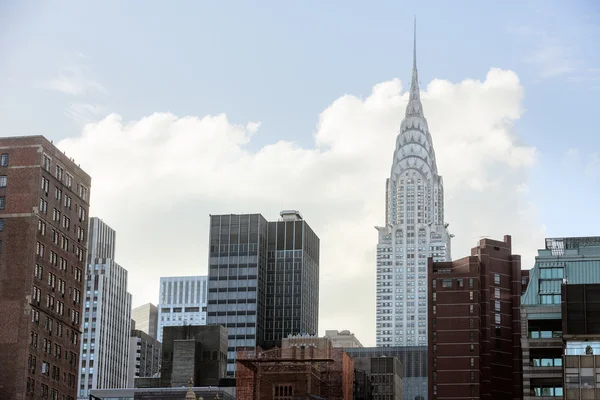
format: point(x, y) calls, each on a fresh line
point(385, 376)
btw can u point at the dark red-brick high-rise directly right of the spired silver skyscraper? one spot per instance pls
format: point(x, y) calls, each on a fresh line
point(474, 321)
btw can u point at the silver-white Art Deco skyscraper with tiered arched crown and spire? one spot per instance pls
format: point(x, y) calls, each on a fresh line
point(414, 230)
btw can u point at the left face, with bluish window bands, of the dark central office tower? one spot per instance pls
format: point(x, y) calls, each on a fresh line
point(237, 275)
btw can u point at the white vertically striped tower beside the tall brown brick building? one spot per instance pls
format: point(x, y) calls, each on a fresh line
point(107, 315)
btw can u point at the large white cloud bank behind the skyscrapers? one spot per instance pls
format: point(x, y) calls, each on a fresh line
point(157, 179)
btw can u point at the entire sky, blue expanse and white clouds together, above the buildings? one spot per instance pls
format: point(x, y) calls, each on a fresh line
point(186, 109)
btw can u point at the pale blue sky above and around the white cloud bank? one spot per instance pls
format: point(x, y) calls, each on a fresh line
point(284, 63)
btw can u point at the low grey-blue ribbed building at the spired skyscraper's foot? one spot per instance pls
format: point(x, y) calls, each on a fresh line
point(414, 366)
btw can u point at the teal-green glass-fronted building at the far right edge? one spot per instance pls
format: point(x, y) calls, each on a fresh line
point(549, 337)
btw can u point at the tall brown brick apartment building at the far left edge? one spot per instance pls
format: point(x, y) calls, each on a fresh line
point(44, 201)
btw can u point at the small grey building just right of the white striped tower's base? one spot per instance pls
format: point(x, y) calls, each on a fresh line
point(144, 356)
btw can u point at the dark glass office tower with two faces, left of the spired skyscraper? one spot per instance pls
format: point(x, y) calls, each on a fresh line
point(263, 279)
